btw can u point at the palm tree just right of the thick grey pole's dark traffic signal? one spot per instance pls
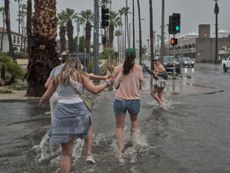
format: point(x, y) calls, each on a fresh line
point(114, 21)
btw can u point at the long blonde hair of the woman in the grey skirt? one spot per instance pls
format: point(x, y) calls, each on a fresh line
point(72, 65)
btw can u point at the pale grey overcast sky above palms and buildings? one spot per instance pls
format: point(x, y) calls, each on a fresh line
point(193, 13)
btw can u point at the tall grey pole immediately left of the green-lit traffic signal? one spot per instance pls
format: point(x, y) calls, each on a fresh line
point(162, 28)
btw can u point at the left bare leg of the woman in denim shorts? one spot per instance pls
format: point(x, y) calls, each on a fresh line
point(120, 120)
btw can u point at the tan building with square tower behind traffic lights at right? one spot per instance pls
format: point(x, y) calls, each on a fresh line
point(201, 46)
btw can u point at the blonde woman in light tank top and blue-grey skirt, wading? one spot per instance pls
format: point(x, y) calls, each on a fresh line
point(71, 117)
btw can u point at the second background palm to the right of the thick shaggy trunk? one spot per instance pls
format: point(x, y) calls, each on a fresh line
point(70, 16)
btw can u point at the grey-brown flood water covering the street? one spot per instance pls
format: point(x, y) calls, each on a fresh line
point(191, 135)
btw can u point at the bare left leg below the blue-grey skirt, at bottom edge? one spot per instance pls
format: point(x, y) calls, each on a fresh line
point(66, 157)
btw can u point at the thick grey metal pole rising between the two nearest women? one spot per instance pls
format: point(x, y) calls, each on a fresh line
point(96, 37)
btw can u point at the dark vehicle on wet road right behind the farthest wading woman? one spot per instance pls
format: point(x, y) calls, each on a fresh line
point(169, 62)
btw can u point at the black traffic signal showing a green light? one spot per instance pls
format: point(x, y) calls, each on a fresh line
point(174, 23)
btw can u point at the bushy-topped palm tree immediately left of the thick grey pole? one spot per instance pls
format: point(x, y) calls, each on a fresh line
point(87, 17)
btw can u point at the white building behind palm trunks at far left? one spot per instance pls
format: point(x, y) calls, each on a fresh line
point(17, 41)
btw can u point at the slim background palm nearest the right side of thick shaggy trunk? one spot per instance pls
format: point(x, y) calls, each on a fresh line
point(62, 28)
